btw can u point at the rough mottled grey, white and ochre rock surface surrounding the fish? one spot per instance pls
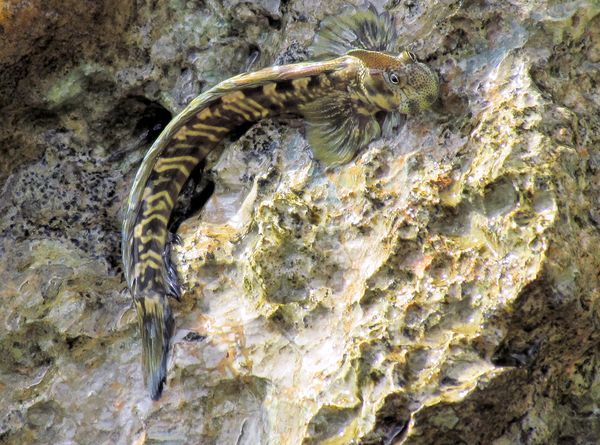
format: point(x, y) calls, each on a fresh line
point(441, 288)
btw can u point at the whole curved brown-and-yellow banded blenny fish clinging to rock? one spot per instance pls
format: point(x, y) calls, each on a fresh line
point(359, 84)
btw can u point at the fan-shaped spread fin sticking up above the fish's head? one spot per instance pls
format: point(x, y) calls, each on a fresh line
point(353, 30)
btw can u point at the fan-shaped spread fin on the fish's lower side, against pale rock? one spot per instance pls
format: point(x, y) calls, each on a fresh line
point(335, 131)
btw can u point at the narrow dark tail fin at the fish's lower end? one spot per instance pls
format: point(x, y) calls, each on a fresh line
point(156, 325)
